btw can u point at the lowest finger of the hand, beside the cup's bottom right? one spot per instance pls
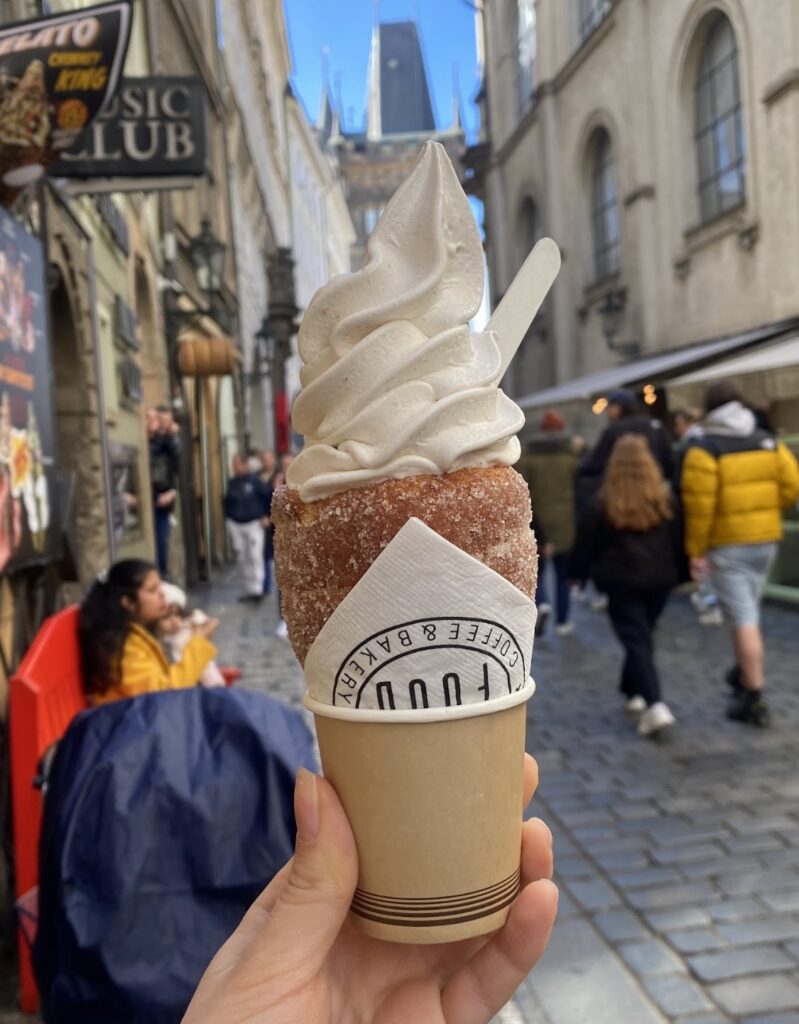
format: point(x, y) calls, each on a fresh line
point(484, 986)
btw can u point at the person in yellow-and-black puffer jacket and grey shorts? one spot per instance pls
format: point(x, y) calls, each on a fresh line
point(735, 484)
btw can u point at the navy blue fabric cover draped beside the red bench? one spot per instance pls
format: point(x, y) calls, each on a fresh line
point(164, 818)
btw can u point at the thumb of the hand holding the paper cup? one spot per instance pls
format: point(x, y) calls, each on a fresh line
point(315, 901)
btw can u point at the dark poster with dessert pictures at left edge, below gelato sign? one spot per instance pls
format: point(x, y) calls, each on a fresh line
point(27, 464)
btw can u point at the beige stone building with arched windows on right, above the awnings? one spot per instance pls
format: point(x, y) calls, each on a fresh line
point(657, 144)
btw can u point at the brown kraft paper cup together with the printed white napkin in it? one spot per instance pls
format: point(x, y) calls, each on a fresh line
point(419, 682)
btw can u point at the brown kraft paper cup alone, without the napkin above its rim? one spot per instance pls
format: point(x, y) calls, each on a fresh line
point(436, 808)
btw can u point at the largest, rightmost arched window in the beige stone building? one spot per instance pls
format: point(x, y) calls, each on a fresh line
point(720, 124)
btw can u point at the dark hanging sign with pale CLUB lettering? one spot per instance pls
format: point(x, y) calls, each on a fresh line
point(153, 129)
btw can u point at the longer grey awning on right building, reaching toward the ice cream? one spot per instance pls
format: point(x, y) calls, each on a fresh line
point(659, 368)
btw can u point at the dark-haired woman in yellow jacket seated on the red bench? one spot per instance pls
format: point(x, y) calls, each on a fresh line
point(120, 656)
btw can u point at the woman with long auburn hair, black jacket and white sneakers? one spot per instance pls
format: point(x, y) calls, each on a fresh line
point(628, 542)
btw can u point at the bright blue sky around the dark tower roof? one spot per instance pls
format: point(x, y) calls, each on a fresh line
point(345, 29)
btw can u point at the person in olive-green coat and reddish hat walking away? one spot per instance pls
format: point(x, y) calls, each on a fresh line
point(550, 467)
